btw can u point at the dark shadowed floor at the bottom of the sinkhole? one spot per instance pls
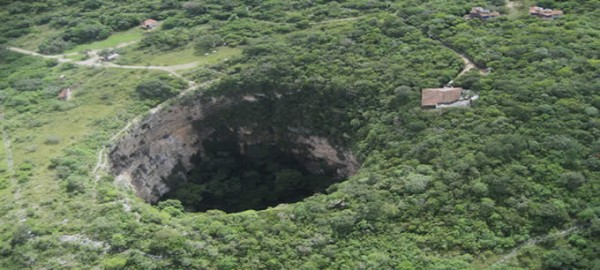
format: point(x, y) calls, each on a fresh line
point(233, 176)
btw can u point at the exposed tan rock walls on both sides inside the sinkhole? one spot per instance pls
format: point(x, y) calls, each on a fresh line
point(166, 141)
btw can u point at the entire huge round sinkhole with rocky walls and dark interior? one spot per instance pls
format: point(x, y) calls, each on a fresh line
point(231, 154)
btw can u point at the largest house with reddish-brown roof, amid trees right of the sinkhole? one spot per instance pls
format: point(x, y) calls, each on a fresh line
point(434, 98)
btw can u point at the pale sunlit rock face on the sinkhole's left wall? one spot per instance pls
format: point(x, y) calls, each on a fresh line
point(165, 139)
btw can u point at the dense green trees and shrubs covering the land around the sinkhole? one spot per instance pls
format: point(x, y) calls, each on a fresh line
point(441, 189)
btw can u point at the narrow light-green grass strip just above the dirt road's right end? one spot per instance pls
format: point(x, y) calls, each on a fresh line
point(138, 57)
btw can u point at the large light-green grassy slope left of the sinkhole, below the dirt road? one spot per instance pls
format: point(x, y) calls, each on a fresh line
point(101, 103)
